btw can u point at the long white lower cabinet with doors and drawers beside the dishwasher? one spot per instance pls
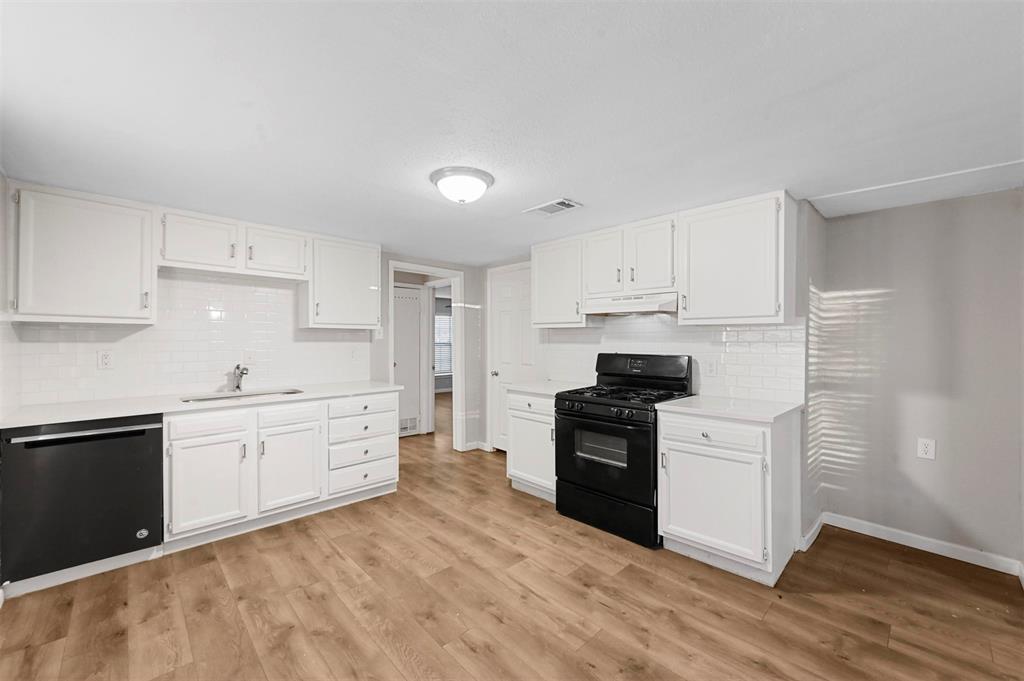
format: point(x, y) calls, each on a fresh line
point(235, 466)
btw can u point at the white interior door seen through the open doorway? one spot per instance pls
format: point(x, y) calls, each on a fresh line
point(409, 337)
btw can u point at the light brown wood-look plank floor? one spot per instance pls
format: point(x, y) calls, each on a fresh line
point(458, 577)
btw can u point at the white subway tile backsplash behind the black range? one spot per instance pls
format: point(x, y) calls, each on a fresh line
point(755, 363)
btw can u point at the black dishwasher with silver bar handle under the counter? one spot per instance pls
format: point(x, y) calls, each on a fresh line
point(74, 493)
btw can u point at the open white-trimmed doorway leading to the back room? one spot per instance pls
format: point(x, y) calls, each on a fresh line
point(426, 351)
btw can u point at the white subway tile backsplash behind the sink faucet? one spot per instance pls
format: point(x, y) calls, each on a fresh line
point(207, 323)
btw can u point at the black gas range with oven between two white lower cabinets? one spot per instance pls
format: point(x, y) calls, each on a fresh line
point(607, 444)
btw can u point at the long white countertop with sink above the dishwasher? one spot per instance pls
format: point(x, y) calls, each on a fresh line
point(35, 415)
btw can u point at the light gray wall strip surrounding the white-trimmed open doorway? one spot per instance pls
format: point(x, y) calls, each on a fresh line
point(474, 290)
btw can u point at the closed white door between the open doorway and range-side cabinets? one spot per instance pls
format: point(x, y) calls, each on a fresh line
point(513, 345)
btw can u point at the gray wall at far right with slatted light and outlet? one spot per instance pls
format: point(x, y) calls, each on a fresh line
point(920, 334)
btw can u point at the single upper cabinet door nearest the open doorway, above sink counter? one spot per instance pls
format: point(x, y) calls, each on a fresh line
point(346, 285)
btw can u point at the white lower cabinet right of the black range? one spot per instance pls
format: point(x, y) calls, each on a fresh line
point(728, 491)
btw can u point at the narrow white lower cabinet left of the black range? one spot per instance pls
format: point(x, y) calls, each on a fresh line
point(531, 455)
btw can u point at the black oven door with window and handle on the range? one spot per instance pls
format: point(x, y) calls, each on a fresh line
point(611, 457)
